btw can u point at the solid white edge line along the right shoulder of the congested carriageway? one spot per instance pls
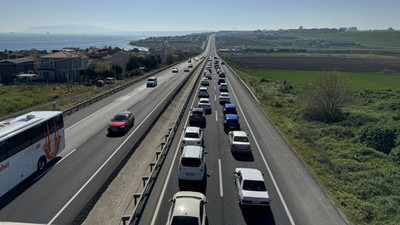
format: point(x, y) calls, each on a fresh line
point(265, 161)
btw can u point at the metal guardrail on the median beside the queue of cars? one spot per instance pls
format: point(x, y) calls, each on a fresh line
point(139, 206)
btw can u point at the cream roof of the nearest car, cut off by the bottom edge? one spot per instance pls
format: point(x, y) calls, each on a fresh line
point(187, 203)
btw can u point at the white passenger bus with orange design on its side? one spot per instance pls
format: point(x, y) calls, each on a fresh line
point(27, 143)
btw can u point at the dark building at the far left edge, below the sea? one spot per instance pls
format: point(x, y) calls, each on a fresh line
point(10, 68)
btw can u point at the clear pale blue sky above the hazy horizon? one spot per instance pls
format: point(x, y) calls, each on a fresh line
point(196, 15)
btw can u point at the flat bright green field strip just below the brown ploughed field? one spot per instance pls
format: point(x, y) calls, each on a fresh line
point(358, 80)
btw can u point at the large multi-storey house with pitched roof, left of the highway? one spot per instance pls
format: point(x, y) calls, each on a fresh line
point(62, 66)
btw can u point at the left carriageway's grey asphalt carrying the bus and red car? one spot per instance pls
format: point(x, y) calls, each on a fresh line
point(58, 195)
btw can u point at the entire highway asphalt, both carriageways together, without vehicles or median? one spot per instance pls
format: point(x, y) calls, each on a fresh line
point(60, 194)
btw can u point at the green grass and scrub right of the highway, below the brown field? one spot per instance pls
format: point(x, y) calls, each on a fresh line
point(363, 182)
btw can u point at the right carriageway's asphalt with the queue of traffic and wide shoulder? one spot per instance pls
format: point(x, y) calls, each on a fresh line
point(295, 195)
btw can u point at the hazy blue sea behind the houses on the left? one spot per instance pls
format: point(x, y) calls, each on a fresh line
point(49, 42)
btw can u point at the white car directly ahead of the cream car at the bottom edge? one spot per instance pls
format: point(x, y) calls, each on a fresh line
point(192, 163)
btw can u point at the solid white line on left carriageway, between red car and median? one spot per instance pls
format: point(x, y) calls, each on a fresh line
point(109, 158)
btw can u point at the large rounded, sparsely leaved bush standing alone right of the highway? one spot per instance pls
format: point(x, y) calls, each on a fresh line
point(324, 98)
